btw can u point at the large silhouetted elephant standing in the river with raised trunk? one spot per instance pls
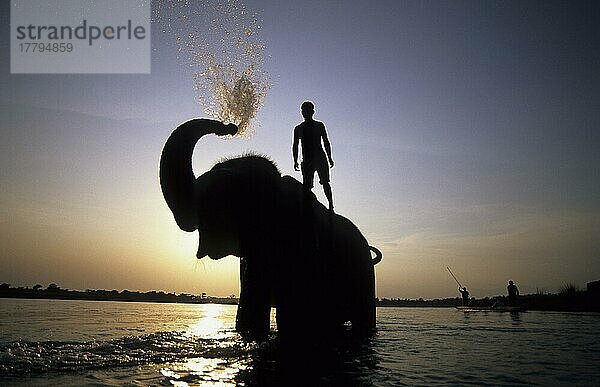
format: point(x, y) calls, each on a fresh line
point(315, 267)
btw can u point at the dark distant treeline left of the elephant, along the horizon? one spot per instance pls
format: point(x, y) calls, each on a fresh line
point(54, 291)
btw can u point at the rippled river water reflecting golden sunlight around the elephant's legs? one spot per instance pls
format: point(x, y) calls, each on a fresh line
point(114, 343)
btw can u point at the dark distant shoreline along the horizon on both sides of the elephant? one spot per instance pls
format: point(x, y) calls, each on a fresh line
point(572, 301)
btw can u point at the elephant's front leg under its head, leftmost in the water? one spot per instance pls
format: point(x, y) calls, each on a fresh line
point(254, 308)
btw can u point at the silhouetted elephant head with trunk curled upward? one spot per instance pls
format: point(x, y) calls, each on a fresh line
point(215, 203)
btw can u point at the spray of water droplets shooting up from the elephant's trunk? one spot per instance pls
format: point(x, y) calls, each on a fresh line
point(220, 42)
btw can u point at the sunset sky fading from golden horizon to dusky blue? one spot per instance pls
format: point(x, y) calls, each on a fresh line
point(465, 134)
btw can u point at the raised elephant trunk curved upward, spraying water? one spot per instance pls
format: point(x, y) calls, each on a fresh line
point(176, 174)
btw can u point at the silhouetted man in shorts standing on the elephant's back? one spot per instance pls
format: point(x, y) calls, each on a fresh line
point(310, 132)
